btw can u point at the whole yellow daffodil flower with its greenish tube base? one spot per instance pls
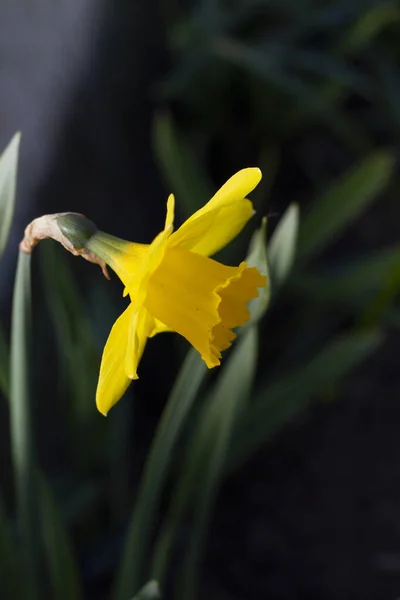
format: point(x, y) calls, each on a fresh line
point(173, 285)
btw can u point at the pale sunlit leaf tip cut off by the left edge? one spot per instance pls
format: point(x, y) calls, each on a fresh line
point(8, 182)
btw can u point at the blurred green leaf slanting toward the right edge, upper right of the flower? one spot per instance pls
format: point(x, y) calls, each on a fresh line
point(344, 201)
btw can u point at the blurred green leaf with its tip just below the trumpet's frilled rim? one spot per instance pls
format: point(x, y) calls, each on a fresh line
point(207, 455)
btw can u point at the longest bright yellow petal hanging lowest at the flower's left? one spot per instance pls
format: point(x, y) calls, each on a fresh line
point(113, 380)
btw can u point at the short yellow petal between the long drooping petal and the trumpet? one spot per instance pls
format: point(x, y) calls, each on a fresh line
point(140, 328)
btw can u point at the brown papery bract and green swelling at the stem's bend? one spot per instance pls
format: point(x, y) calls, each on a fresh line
point(71, 230)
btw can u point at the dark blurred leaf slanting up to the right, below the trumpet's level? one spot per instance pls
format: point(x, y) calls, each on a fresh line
point(281, 400)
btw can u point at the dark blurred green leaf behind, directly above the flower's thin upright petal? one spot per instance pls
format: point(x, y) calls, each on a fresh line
point(178, 165)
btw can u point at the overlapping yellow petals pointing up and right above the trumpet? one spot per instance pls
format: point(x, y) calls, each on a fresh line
point(221, 219)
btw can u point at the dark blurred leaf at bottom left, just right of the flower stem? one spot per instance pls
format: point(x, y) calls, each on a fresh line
point(59, 554)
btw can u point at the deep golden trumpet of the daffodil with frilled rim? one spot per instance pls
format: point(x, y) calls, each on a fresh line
point(188, 293)
